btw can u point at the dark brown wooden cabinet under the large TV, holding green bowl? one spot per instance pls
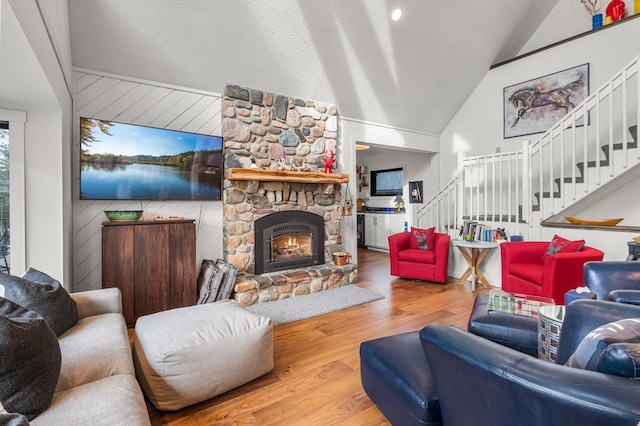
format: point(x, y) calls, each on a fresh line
point(153, 263)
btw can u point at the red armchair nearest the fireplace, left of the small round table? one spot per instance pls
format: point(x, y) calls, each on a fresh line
point(414, 263)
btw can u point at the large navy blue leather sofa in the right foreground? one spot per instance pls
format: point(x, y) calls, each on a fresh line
point(463, 379)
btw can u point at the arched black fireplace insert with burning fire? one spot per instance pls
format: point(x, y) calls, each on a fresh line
point(288, 240)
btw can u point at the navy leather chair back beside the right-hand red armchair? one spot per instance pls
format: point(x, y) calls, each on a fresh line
point(604, 277)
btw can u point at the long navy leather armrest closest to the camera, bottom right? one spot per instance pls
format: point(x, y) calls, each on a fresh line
point(464, 367)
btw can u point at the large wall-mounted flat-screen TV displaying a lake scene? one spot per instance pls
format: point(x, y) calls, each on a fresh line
point(121, 161)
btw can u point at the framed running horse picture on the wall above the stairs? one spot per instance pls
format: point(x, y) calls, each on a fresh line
point(535, 105)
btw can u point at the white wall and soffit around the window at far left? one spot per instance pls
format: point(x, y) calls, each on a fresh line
point(47, 135)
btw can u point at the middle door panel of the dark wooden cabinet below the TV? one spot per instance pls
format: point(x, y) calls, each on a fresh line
point(152, 269)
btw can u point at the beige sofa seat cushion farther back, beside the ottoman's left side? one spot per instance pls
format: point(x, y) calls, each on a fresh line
point(97, 347)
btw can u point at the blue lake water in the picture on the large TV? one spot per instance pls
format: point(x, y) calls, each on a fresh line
point(148, 182)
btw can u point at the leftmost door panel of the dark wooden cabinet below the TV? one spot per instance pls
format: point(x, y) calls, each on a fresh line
point(118, 266)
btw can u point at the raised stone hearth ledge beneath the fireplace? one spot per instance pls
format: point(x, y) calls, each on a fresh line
point(284, 284)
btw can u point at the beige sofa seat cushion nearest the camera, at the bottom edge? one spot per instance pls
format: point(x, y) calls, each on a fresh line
point(115, 400)
